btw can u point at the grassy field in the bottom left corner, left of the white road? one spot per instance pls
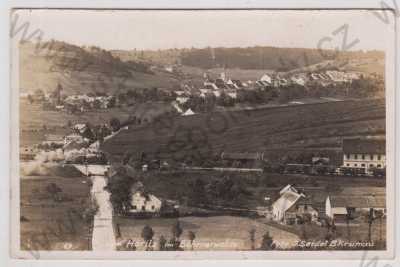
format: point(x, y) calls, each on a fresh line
point(47, 224)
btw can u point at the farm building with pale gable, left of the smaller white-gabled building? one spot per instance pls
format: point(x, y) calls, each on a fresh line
point(292, 205)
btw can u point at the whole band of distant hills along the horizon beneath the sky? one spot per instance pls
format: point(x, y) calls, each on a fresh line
point(92, 69)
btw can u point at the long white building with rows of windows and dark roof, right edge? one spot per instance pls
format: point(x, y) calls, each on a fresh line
point(364, 153)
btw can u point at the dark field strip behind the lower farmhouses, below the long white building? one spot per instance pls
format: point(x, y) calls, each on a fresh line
point(178, 185)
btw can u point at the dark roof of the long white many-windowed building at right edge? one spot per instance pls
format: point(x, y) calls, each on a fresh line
point(364, 146)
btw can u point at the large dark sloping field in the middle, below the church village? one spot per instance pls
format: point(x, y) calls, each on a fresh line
point(271, 130)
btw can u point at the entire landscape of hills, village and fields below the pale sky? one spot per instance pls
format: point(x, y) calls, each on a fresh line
point(140, 154)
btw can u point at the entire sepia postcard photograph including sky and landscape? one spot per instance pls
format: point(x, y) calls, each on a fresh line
point(184, 131)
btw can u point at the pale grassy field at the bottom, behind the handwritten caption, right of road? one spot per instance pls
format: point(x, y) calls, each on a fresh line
point(212, 233)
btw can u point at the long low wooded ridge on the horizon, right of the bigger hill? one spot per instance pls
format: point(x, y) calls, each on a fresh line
point(256, 58)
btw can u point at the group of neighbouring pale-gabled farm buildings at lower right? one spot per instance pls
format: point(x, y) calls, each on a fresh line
point(345, 206)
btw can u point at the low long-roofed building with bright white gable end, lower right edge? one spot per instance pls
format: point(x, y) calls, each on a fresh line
point(351, 202)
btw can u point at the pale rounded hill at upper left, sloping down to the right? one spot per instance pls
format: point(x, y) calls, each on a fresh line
point(83, 70)
